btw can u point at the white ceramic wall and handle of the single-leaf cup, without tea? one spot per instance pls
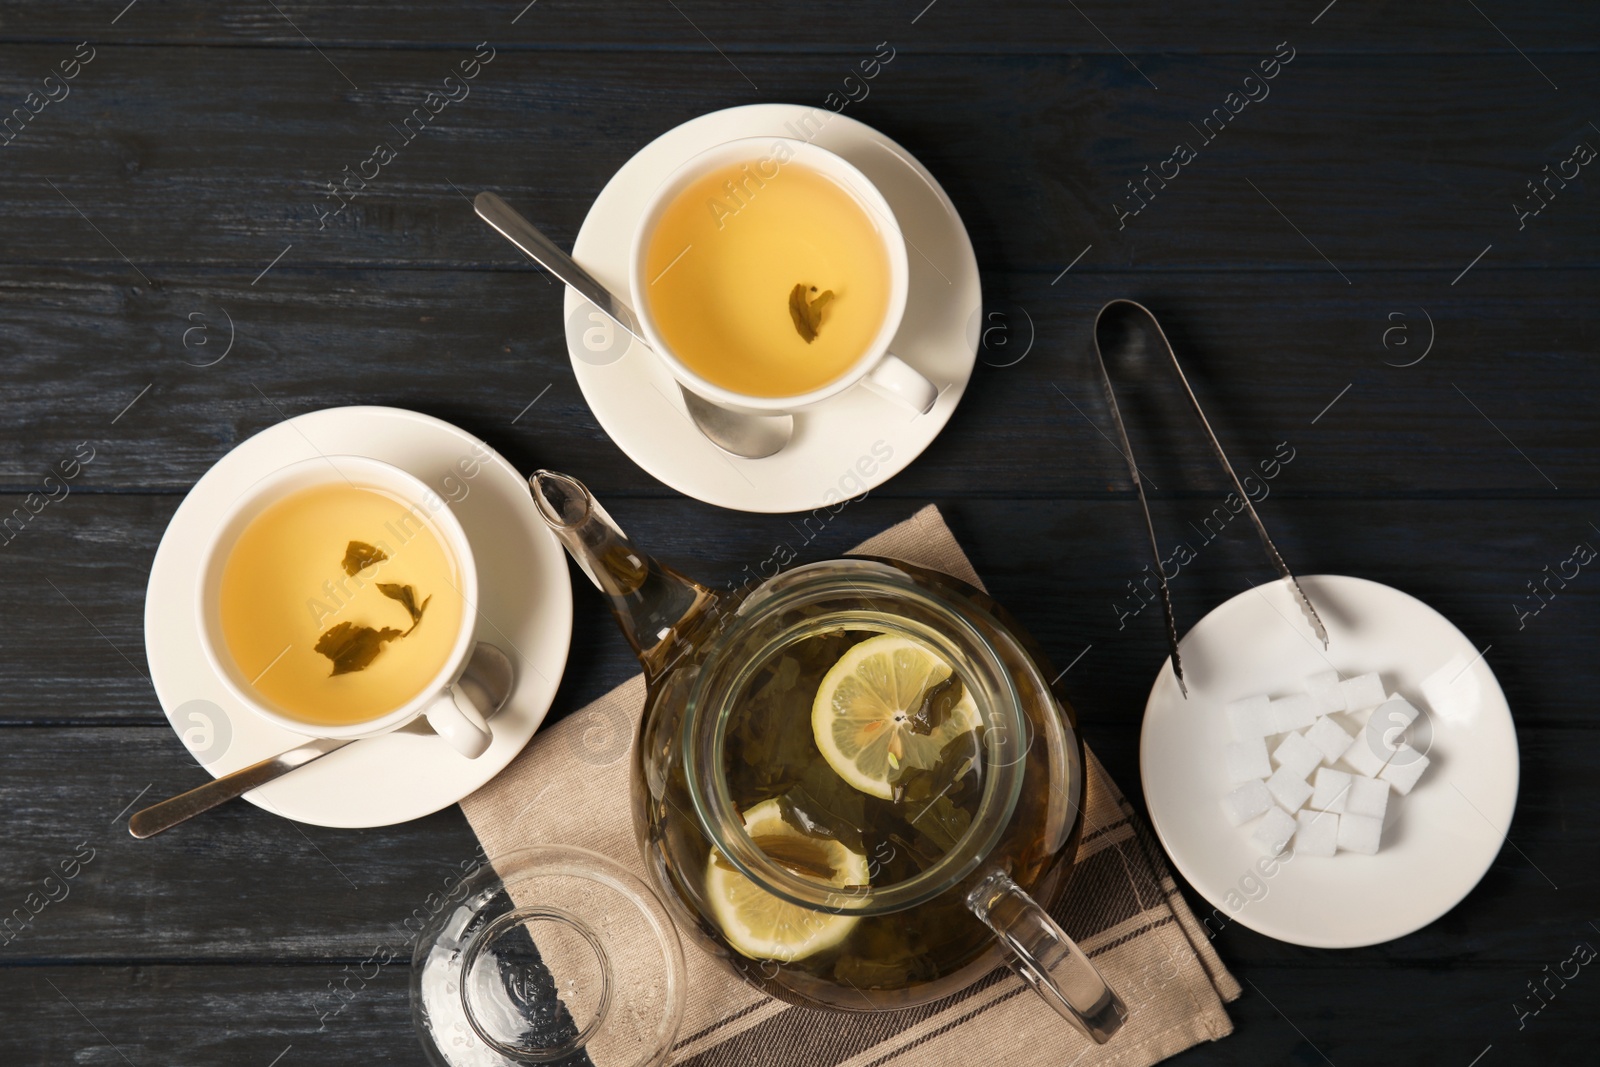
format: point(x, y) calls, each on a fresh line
point(876, 369)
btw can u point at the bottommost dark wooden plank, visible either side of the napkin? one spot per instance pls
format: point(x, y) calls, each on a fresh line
point(182, 1015)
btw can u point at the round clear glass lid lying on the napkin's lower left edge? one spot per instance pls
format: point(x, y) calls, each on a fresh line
point(550, 953)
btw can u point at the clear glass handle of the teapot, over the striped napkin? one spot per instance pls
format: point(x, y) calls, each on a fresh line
point(1047, 959)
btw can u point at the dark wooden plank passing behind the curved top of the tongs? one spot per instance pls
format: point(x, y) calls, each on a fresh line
point(1268, 353)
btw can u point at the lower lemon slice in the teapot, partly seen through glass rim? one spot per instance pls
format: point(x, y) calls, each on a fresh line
point(766, 927)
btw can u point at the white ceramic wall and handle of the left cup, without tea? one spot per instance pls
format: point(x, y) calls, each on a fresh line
point(447, 706)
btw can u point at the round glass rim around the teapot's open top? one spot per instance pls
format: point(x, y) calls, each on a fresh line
point(865, 597)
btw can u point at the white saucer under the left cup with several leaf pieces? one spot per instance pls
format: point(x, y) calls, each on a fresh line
point(526, 607)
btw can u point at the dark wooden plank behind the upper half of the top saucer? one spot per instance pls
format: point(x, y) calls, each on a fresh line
point(185, 156)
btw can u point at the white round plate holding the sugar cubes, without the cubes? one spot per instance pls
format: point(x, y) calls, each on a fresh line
point(1438, 842)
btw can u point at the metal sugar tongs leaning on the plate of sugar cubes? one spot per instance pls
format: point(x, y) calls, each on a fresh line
point(1140, 327)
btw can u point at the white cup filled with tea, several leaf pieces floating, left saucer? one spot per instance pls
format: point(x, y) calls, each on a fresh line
point(338, 601)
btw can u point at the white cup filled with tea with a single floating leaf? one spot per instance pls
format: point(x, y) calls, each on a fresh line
point(770, 276)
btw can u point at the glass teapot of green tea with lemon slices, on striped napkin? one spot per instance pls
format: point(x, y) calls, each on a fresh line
point(852, 783)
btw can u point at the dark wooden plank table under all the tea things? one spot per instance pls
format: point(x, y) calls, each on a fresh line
point(1372, 201)
